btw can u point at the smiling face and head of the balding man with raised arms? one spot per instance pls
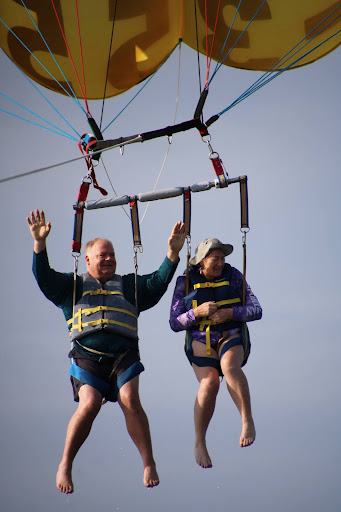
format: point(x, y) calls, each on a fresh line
point(100, 261)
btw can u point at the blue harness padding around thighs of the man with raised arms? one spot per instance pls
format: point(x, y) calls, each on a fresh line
point(108, 390)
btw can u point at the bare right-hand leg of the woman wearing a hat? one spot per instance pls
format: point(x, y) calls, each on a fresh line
point(239, 390)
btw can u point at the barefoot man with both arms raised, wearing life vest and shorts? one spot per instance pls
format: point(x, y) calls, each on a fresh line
point(103, 325)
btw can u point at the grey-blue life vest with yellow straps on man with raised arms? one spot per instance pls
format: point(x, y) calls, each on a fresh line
point(103, 306)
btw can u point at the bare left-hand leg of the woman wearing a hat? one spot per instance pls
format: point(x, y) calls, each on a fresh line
point(204, 404)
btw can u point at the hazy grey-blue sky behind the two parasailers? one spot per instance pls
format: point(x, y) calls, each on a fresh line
point(285, 138)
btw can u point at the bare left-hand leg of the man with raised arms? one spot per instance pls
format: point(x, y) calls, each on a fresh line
point(79, 427)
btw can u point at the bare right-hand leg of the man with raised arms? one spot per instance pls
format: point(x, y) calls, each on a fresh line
point(138, 428)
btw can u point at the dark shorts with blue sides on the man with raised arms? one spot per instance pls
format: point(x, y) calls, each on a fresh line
point(106, 374)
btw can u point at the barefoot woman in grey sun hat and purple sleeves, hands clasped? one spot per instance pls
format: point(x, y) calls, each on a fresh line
point(212, 313)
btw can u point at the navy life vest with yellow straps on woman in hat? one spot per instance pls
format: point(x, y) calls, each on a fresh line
point(218, 291)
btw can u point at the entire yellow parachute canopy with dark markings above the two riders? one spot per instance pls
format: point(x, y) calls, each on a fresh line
point(143, 33)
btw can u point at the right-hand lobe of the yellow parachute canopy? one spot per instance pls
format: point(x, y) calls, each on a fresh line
point(278, 27)
